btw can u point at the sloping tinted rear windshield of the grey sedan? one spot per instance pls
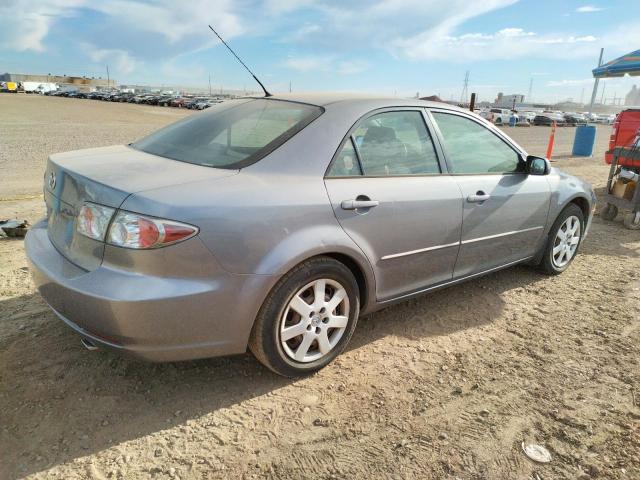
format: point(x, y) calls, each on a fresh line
point(232, 135)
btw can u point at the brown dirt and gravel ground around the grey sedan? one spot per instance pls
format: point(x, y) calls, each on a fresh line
point(447, 385)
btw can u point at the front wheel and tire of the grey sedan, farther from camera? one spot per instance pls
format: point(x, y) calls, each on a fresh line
point(563, 241)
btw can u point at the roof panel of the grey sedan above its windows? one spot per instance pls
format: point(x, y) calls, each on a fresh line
point(324, 99)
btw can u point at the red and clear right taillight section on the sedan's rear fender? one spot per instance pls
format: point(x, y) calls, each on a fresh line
point(131, 230)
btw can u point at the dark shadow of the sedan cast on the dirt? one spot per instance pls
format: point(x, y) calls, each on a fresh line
point(59, 402)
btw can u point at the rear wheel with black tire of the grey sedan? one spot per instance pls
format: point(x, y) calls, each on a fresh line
point(307, 319)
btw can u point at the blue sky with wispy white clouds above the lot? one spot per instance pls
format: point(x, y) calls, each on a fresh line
point(393, 47)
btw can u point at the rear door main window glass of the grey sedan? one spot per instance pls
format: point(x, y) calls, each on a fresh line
point(396, 143)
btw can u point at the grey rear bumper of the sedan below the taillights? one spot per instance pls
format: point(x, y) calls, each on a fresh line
point(155, 318)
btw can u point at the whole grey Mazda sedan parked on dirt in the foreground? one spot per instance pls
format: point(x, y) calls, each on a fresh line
point(274, 223)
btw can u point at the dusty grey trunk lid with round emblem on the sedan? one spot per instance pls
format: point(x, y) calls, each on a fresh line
point(106, 176)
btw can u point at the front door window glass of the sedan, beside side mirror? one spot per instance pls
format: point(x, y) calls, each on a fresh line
point(472, 148)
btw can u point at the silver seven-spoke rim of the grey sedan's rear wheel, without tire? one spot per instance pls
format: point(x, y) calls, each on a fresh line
point(314, 320)
